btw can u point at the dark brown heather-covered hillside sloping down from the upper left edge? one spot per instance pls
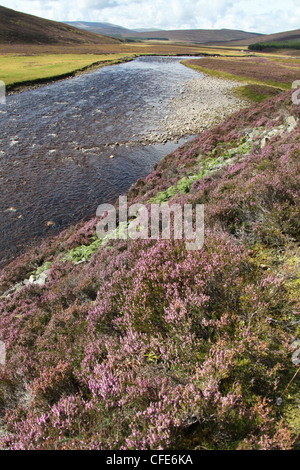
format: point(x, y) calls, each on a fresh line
point(20, 28)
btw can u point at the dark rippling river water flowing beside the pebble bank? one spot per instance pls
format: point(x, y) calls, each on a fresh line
point(56, 142)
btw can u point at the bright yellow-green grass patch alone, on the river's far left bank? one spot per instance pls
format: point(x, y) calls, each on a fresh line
point(19, 71)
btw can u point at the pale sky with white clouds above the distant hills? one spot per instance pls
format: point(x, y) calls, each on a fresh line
point(264, 16)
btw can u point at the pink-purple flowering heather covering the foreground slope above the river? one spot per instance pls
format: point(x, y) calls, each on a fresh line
point(145, 345)
